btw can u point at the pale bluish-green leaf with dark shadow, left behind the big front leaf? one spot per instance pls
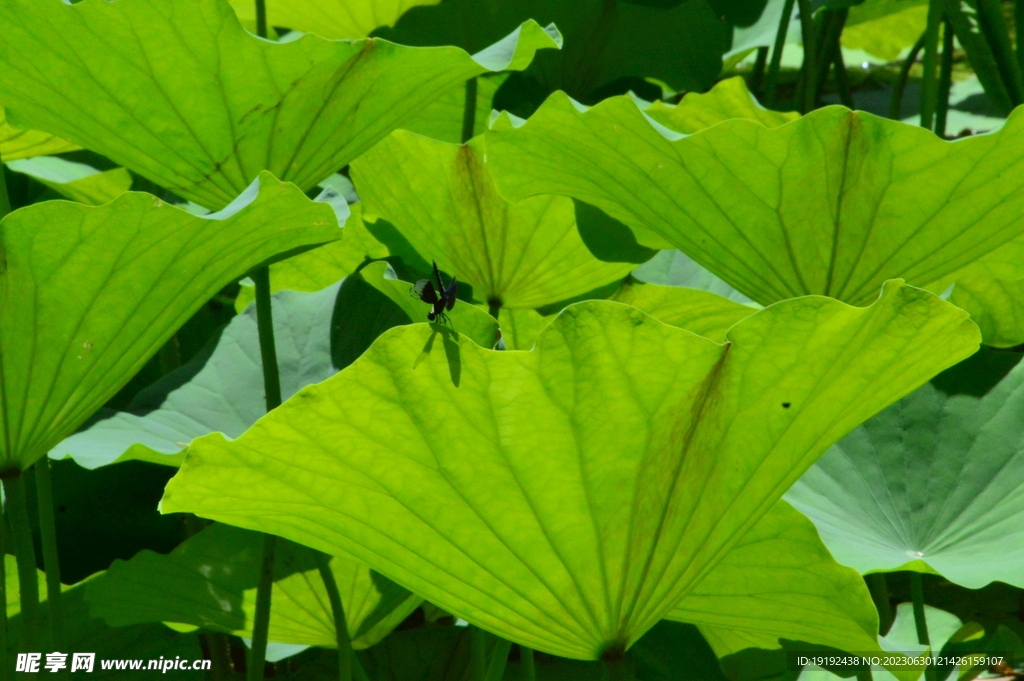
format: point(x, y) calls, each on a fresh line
point(222, 390)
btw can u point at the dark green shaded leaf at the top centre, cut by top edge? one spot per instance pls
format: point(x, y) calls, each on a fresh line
point(606, 40)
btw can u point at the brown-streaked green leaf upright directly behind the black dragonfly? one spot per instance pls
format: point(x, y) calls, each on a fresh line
point(442, 199)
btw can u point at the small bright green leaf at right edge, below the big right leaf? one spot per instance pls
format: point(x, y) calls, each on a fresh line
point(997, 306)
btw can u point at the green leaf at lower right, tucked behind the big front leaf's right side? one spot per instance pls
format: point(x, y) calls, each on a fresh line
point(781, 582)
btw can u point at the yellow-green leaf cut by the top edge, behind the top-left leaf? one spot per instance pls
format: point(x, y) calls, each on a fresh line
point(335, 20)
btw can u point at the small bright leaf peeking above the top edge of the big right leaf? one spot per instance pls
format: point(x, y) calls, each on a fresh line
point(729, 100)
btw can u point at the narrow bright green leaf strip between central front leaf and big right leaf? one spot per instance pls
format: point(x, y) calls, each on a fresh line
point(705, 314)
